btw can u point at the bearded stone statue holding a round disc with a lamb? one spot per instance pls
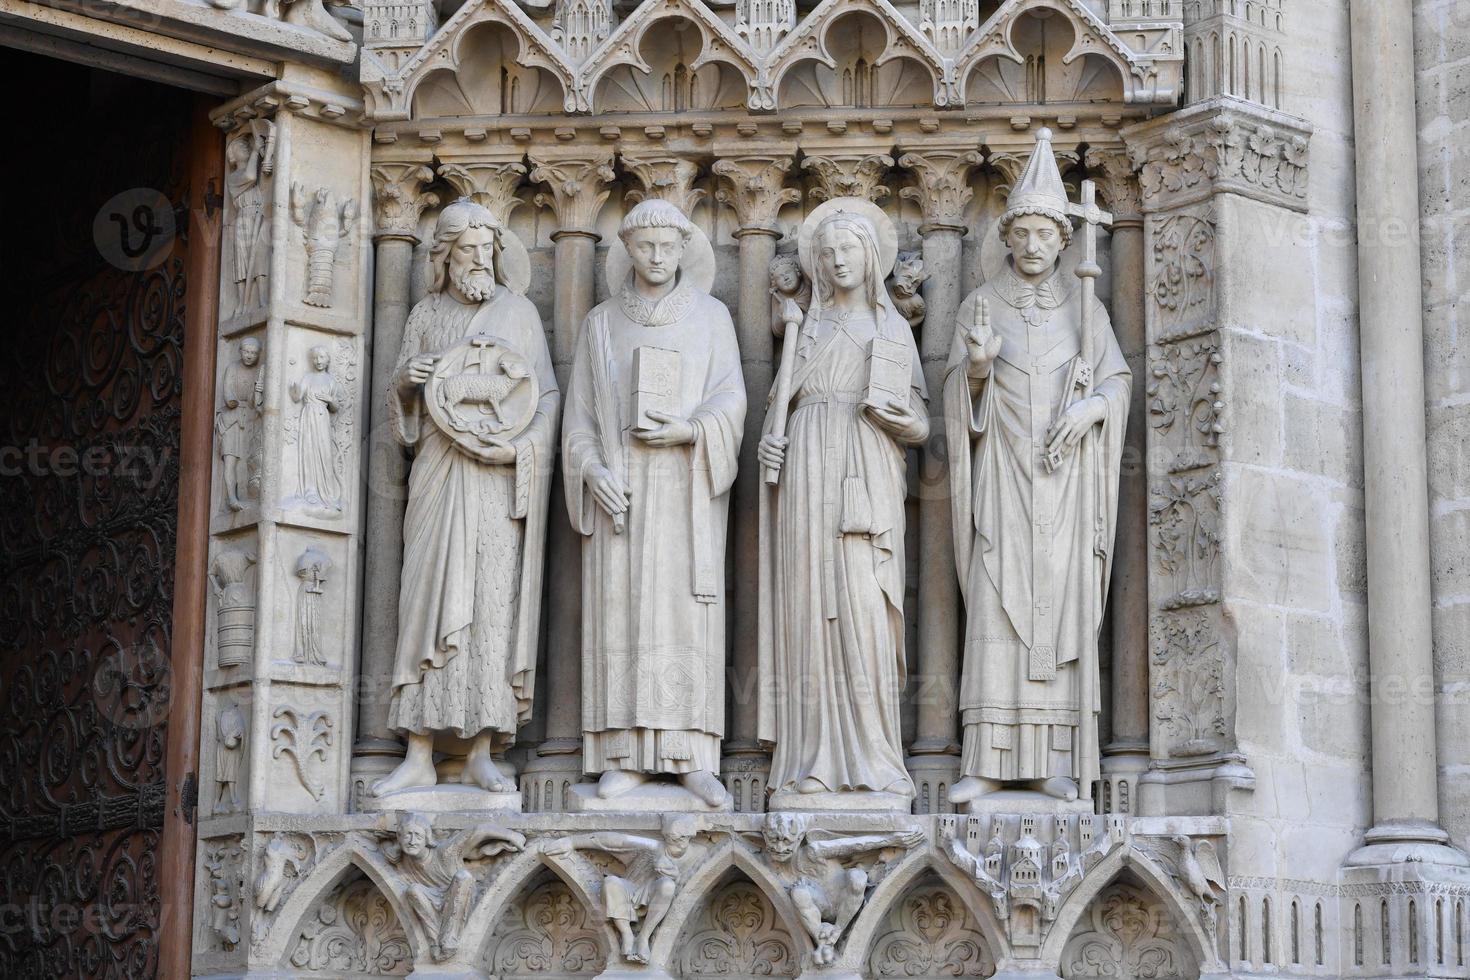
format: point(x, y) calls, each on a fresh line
point(476, 527)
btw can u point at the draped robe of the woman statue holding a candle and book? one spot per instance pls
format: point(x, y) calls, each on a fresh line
point(833, 569)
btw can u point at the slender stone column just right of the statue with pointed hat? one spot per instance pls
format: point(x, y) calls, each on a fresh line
point(1125, 756)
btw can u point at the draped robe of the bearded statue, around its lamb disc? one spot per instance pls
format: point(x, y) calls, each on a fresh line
point(474, 538)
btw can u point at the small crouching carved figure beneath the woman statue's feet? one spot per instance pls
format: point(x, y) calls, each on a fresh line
point(822, 878)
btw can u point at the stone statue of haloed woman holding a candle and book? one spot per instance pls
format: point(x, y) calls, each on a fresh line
point(833, 530)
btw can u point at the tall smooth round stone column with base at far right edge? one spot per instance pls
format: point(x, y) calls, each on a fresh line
point(1391, 337)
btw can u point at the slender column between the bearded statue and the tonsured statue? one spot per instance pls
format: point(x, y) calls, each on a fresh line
point(577, 190)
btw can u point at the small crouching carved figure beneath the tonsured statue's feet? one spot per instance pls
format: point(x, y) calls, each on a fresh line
point(649, 881)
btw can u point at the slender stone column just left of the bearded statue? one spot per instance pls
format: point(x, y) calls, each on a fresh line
point(399, 201)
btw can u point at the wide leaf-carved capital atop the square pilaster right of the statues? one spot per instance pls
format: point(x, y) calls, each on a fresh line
point(1222, 148)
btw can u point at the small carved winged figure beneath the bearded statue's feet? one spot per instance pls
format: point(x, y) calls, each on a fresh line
point(437, 887)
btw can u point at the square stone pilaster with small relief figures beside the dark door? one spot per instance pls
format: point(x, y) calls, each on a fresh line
point(287, 508)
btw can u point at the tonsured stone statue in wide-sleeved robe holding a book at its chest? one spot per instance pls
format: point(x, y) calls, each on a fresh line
point(652, 437)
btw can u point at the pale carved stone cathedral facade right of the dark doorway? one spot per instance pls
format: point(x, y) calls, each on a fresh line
point(871, 490)
